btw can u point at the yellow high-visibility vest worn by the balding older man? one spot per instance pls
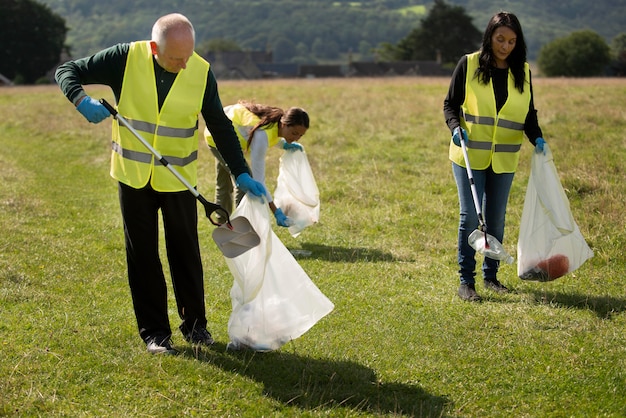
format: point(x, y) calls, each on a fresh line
point(172, 131)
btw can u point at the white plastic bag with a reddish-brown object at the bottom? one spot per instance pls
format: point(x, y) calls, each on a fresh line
point(550, 244)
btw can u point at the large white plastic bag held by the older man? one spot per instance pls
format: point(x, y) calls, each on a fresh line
point(273, 299)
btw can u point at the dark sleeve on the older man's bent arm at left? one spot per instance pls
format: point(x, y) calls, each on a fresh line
point(105, 67)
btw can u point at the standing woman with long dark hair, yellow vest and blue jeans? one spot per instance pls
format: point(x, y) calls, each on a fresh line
point(491, 100)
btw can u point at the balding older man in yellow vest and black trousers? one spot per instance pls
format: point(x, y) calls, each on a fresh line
point(160, 86)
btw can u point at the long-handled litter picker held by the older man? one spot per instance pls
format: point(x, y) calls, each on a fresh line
point(234, 237)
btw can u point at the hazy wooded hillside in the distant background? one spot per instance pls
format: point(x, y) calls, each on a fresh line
point(318, 31)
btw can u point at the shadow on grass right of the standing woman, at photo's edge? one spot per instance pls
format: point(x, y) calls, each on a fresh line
point(604, 306)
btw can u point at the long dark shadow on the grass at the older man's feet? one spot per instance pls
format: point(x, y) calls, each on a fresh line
point(318, 384)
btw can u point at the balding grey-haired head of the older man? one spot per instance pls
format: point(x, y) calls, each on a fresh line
point(173, 41)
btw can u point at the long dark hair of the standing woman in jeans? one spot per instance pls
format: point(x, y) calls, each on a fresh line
point(517, 58)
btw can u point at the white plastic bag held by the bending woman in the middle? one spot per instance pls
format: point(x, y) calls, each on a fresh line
point(296, 191)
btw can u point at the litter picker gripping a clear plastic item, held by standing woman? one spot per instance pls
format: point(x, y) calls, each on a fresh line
point(479, 239)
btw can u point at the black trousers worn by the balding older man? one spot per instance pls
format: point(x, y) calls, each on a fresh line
point(140, 213)
